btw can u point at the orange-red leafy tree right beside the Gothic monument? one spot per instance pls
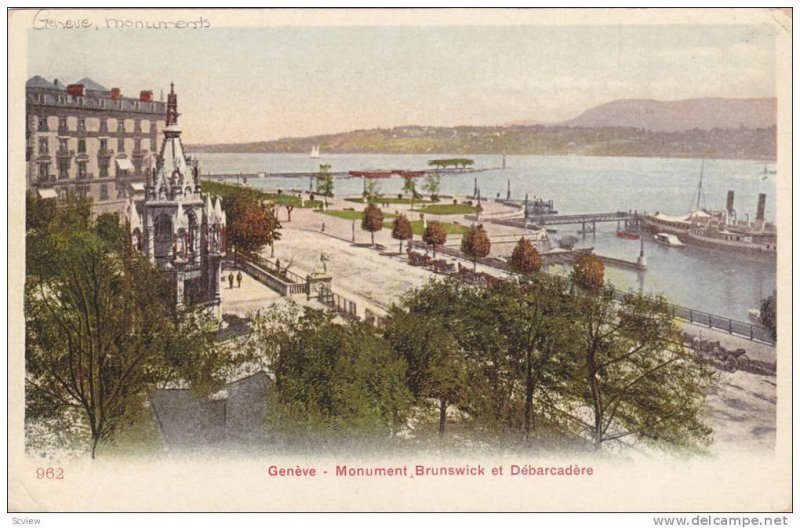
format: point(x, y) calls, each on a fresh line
point(253, 226)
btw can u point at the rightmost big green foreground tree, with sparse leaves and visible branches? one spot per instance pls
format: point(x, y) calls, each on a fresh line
point(638, 378)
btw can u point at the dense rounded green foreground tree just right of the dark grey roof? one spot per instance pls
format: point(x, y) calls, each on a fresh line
point(326, 378)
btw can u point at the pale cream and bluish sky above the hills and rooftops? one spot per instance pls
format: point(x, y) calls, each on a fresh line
point(262, 83)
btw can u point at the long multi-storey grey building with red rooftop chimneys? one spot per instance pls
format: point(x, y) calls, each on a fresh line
point(92, 141)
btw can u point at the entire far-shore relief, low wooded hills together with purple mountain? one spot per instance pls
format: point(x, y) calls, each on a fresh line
point(713, 127)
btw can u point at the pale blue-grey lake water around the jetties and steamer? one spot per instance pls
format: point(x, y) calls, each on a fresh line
point(720, 282)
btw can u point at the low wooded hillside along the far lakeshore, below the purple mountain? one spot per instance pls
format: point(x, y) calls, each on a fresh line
point(732, 143)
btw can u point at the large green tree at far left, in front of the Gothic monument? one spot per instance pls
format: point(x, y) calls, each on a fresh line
point(100, 327)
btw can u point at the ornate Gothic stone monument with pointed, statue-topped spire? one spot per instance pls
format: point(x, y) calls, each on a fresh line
point(175, 226)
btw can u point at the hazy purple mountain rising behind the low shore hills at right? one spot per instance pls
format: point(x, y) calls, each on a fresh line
point(673, 116)
